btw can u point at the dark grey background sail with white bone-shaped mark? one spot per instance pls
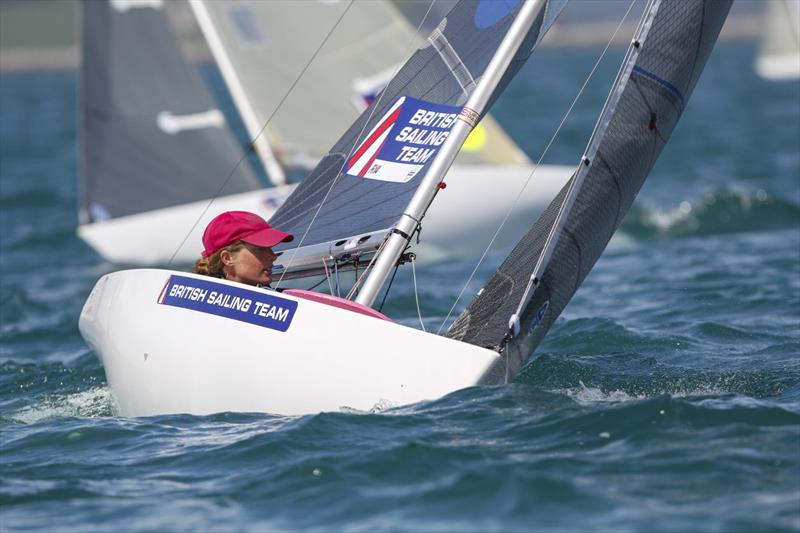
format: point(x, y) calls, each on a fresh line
point(151, 135)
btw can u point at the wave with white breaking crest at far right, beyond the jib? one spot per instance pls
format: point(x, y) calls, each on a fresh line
point(719, 212)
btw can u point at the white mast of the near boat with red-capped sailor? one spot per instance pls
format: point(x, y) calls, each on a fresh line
point(467, 118)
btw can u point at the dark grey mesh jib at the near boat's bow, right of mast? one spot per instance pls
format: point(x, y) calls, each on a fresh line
point(653, 93)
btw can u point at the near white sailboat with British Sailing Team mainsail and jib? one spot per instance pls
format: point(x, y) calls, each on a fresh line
point(174, 342)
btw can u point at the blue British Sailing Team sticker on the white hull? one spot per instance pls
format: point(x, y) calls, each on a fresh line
point(253, 307)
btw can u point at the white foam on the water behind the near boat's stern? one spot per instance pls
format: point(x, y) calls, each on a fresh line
point(94, 402)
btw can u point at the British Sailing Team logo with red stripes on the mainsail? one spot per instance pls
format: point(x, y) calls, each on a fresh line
point(407, 136)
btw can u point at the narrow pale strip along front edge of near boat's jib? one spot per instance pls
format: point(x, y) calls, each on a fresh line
point(576, 183)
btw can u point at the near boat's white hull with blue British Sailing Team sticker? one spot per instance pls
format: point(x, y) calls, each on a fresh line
point(161, 358)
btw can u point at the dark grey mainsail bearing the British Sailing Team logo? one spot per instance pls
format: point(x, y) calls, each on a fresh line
point(363, 195)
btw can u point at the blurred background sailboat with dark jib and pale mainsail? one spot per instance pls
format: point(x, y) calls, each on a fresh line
point(260, 59)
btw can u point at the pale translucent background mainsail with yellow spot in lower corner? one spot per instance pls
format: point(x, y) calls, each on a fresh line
point(267, 52)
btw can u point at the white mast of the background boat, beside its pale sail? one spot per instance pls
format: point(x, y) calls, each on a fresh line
point(254, 127)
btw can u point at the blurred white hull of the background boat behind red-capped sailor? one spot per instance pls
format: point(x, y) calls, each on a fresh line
point(486, 193)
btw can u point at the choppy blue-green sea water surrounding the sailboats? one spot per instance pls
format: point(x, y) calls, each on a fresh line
point(666, 397)
